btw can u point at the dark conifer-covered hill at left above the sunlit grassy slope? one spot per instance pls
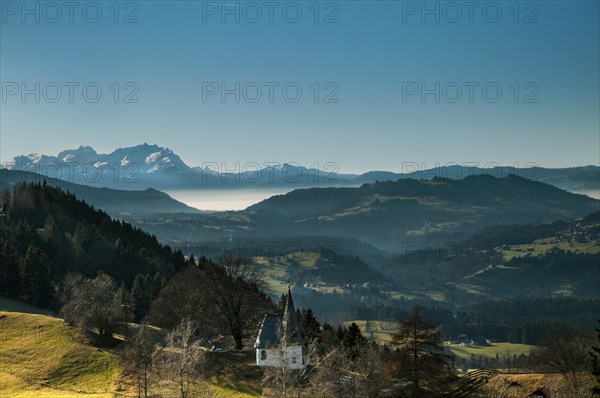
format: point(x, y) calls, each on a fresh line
point(46, 233)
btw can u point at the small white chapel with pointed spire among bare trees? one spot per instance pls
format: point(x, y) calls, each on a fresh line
point(279, 342)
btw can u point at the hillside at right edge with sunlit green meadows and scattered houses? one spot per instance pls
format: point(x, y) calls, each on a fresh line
point(540, 259)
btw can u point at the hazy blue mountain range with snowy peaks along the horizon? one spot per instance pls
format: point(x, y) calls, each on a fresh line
point(151, 166)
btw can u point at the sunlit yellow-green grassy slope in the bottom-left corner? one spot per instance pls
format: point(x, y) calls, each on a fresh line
point(41, 356)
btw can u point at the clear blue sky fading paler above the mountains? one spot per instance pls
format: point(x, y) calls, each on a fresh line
point(374, 58)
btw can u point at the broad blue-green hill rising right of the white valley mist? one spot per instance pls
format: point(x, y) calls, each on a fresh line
point(392, 216)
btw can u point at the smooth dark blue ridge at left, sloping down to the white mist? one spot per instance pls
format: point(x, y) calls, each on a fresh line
point(115, 202)
